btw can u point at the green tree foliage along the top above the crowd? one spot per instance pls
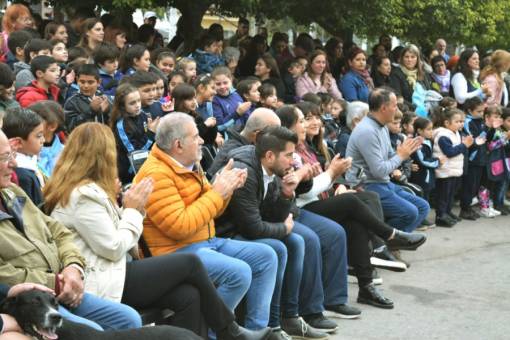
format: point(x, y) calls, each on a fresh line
point(484, 23)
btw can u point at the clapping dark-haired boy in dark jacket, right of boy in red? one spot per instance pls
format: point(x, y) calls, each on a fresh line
point(89, 104)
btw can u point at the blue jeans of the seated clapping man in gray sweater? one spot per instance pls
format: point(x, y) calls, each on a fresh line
point(402, 210)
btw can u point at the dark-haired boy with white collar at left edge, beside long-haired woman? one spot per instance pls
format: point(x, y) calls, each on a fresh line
point(25, 129)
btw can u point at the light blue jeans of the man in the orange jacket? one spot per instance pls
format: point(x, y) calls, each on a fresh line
point(238, 268)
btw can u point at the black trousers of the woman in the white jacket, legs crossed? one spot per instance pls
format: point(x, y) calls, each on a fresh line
point(179, 282)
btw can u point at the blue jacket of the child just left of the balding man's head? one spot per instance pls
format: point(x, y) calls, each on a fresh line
point(224, 109)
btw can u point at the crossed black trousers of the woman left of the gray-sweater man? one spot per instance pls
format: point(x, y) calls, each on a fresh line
point(357, 219)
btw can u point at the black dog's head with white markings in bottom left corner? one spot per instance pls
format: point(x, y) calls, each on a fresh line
point(36, 312)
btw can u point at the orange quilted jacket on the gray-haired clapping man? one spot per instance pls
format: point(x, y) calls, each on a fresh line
point(182, 206)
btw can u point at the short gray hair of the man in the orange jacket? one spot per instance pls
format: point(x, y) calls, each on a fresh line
point(171, 128)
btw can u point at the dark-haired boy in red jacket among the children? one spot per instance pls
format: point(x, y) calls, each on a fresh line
point(47, 73)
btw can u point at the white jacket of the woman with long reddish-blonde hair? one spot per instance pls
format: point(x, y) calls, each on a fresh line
point(104, 234)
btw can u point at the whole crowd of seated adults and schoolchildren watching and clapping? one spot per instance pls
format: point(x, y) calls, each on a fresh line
point(135, 175)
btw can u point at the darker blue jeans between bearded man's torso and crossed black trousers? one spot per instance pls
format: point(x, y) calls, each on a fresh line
point(324, 279)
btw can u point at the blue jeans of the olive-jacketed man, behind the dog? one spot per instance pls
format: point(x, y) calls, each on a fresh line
point(102, 314)
